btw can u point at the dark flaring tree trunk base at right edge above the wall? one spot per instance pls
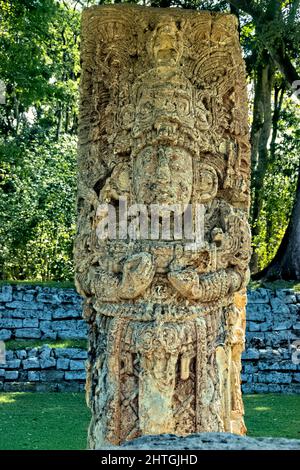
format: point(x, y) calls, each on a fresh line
point(286, 264)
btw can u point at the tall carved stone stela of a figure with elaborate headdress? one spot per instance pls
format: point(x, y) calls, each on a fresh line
point(163, 122)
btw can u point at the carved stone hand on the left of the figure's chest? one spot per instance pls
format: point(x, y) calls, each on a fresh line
point(138, 274)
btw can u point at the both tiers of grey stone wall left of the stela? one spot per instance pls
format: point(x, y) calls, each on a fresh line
point(42, 313)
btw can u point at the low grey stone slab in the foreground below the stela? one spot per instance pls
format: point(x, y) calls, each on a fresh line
point(208, 441)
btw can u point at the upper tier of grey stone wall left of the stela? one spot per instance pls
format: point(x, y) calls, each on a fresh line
point(40, 313)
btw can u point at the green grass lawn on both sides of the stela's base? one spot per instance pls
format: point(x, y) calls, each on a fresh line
point(60, 420)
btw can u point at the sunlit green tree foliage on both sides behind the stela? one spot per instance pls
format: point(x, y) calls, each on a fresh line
point(39, 65)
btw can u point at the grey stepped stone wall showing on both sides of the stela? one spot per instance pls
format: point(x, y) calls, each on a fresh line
point(270, 361)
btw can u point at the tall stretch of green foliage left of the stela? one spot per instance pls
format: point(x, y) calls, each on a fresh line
point(39, 64)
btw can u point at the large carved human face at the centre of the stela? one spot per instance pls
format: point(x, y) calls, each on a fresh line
point(163, 175)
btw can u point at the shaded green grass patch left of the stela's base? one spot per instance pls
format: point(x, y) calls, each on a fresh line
point(46, 421)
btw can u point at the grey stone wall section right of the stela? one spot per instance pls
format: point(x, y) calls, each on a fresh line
point(271, 362)
